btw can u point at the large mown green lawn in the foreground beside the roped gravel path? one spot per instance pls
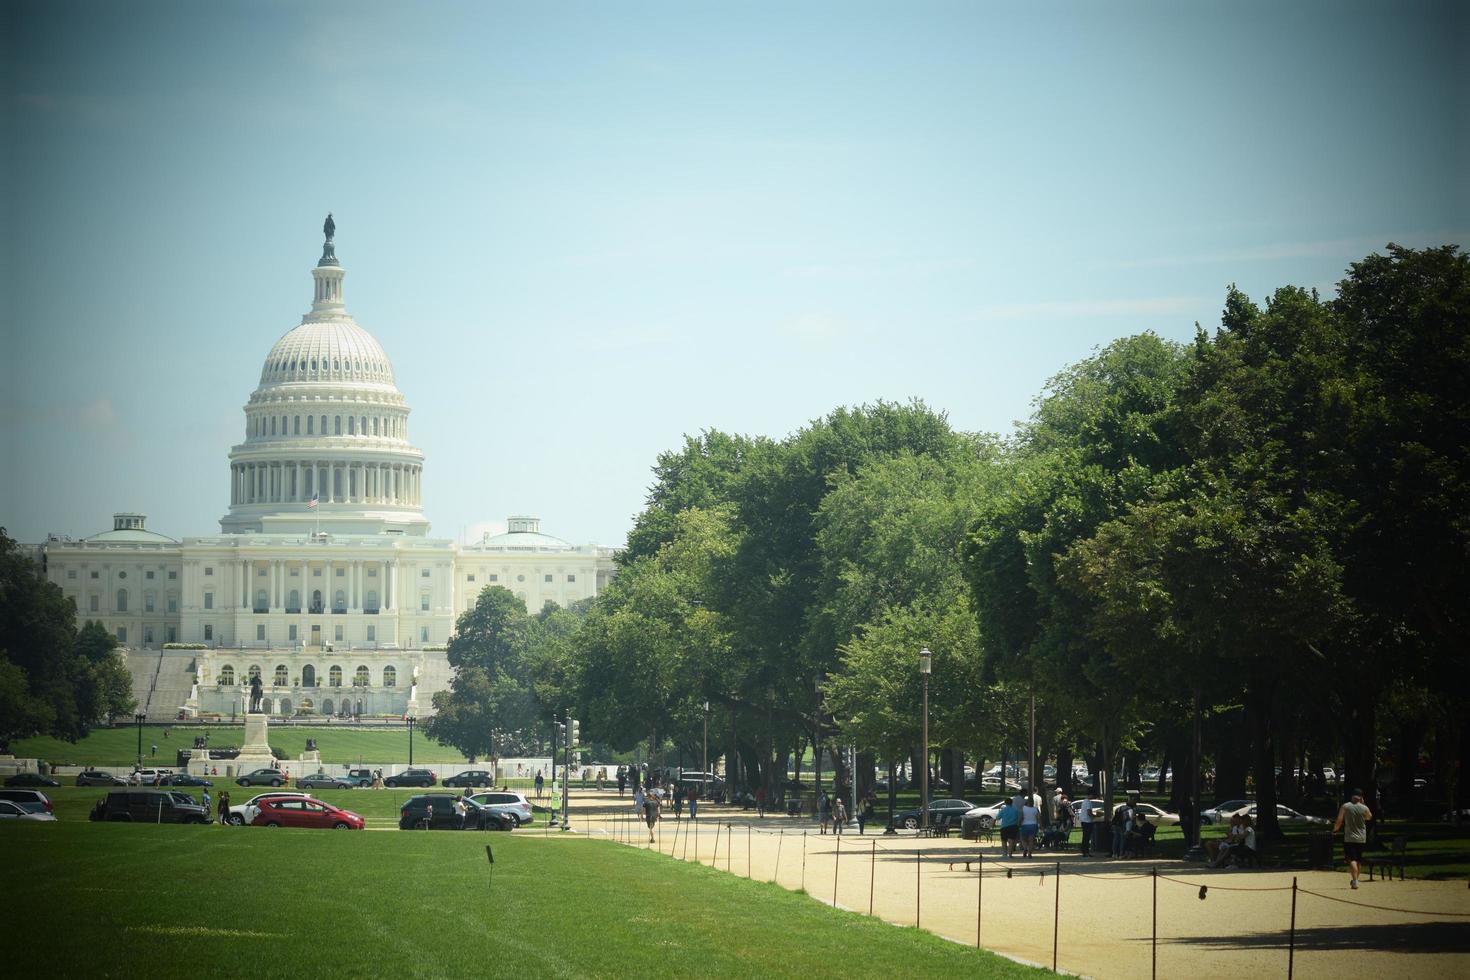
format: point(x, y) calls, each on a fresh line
point(121, 900)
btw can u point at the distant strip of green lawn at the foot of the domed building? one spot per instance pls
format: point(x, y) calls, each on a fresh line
point(337, 744)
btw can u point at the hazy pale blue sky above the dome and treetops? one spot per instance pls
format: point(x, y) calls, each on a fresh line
point(584, 230)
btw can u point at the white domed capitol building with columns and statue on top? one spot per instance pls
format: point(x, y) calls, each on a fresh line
point(324, 580)
